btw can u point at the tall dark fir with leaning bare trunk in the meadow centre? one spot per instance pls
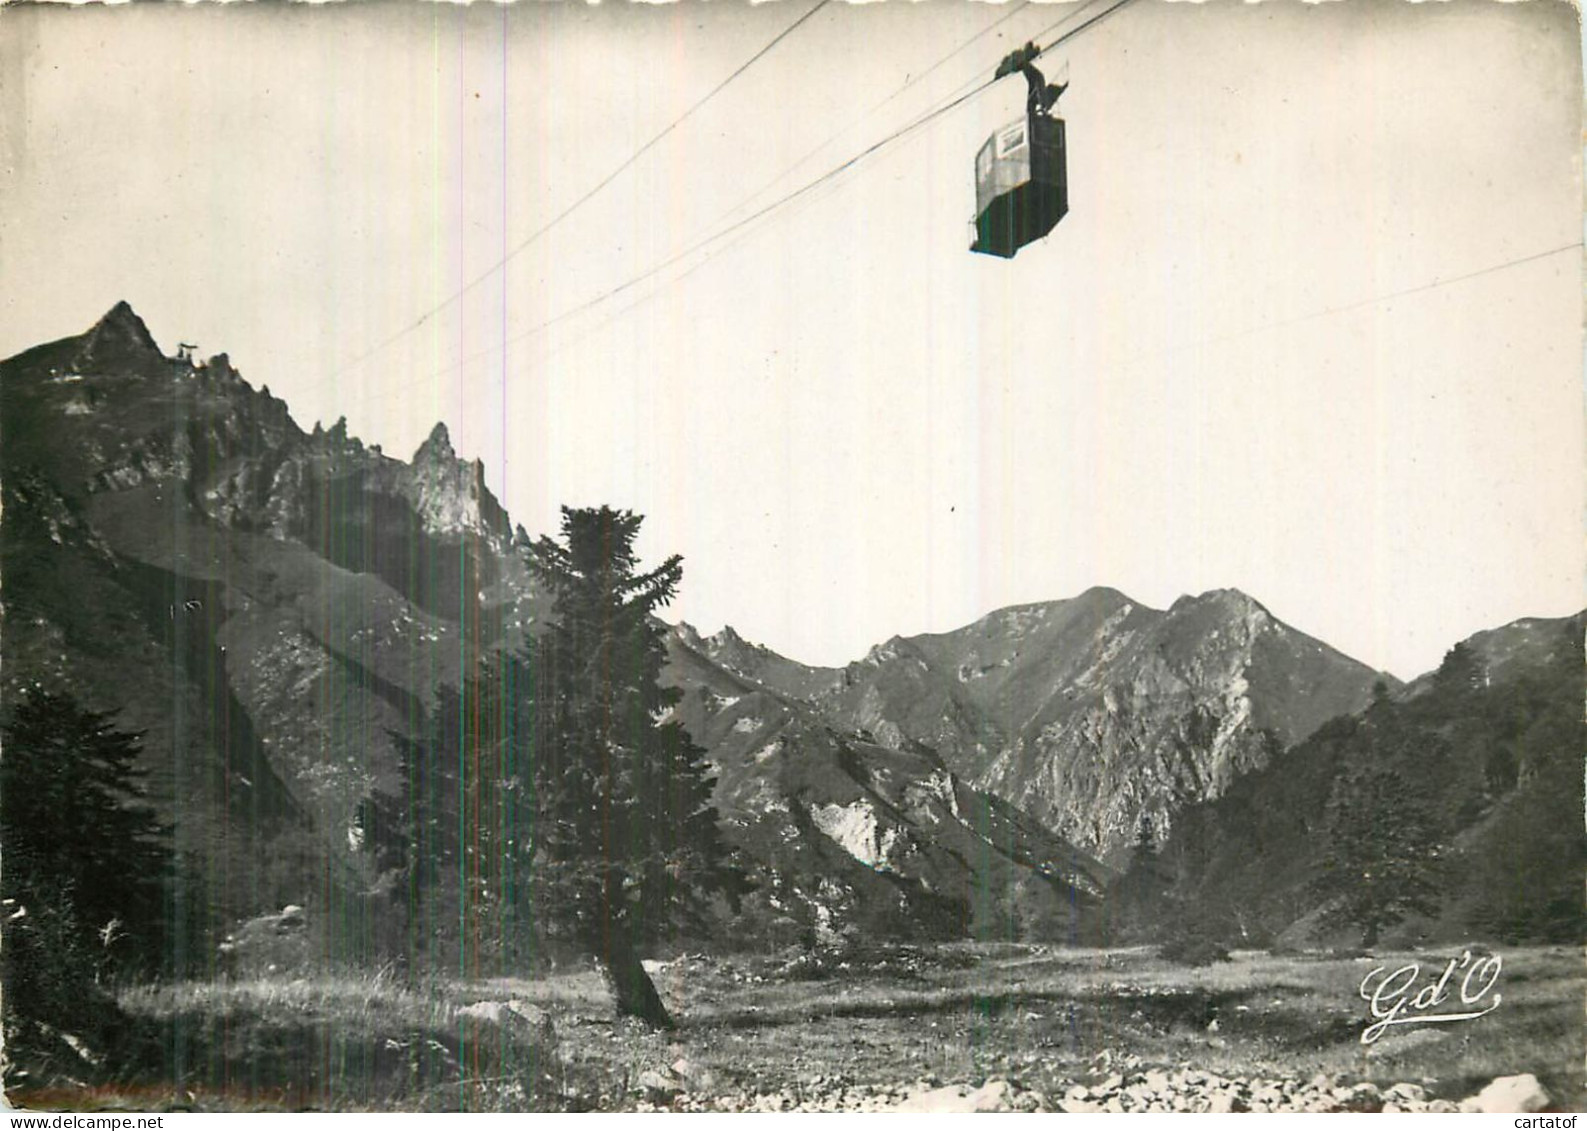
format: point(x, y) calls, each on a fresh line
point(628, 846)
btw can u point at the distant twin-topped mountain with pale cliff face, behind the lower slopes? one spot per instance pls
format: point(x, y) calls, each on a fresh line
point(1094, 715)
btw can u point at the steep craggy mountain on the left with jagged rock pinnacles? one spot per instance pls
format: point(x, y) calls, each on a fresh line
point(267, 605)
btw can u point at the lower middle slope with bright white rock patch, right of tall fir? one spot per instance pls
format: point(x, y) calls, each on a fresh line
point(850, 834)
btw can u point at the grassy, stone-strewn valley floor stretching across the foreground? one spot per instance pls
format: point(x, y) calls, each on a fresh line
point(985, 1027)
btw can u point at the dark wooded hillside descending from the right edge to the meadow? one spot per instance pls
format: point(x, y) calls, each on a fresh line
point(1488, 756)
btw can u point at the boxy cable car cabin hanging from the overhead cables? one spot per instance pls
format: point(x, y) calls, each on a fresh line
point(1021, 178)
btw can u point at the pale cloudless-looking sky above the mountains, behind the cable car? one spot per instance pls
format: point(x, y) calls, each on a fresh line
point(1312, 328)
